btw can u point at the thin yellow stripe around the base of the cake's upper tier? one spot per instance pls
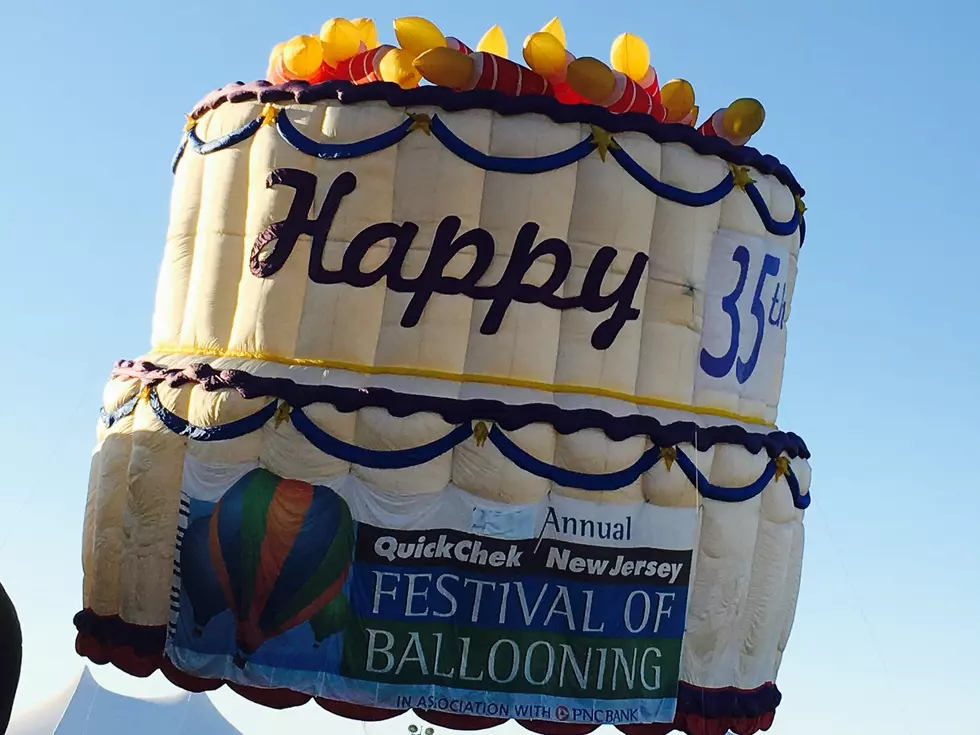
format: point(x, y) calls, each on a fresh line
point(461, 378)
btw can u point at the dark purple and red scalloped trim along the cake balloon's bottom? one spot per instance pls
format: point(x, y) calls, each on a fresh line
point(139, 651)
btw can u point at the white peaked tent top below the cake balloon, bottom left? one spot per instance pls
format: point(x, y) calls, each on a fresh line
point(86, 708)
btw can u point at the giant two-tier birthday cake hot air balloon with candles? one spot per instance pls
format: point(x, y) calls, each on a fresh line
point(462, 396)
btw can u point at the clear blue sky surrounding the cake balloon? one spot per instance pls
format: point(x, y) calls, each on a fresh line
point(872, 103)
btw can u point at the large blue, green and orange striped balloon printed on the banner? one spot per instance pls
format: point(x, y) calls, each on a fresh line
point(282, 552)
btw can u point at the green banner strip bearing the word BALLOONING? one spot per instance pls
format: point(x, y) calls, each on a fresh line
point(511, 661)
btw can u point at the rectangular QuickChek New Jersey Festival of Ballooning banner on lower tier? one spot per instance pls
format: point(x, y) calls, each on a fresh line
point(564, 610)
